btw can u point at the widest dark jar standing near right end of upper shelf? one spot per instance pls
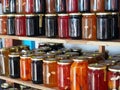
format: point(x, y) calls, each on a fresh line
point(103, 26)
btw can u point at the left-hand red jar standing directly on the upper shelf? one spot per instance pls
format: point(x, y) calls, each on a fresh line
point(20, 29)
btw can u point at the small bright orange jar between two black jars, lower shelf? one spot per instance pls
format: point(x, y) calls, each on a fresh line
point(25, 67)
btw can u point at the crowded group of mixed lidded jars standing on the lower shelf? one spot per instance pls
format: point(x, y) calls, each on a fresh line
point(68, 69)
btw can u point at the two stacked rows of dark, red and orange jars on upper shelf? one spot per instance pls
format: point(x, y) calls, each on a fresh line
point(75, 19)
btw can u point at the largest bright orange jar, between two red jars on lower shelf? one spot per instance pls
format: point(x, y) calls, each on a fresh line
point(79, 74)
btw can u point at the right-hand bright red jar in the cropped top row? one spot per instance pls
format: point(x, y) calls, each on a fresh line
point(72, 6)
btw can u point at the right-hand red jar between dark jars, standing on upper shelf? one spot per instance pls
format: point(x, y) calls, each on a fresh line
point(63, 29)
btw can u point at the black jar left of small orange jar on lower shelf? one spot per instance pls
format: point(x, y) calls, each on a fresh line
point(14, 65)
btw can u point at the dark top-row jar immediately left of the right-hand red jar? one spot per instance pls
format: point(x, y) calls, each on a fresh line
point(60, 6)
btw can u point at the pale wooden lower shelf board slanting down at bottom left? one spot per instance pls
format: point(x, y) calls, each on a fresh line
point(27, 83)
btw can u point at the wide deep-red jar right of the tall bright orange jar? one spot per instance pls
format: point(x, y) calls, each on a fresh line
point(97, 77)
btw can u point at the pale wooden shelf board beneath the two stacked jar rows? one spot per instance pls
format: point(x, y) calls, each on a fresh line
point(56, 40)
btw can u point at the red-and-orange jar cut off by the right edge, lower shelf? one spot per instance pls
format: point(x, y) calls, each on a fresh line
point(114, 77)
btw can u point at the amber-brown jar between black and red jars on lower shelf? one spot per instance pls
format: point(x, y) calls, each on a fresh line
point(50, 72)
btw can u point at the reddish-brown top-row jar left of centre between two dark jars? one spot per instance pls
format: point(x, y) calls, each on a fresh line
point(50, 6)
